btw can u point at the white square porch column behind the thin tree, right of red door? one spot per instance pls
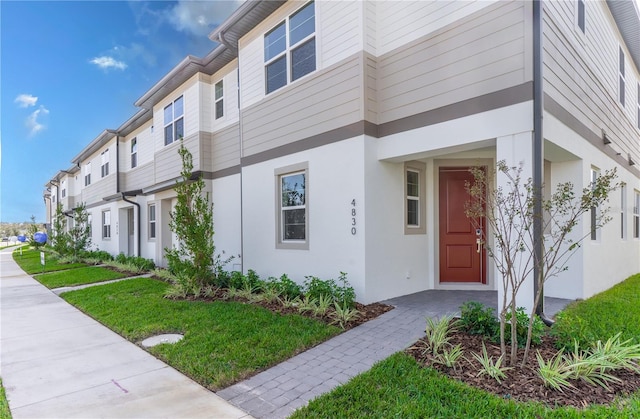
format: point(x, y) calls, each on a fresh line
point(516, 150)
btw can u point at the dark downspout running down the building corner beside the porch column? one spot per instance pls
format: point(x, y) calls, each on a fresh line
point(538, 157)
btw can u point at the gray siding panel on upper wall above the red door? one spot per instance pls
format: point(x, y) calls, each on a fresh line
point(481, 53)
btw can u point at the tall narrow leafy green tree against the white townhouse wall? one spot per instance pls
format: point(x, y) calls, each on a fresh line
point(192, 221)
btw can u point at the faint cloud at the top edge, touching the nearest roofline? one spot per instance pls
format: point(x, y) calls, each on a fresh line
point(200, 17)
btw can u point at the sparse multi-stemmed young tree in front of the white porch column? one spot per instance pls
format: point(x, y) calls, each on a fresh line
point(509, 212)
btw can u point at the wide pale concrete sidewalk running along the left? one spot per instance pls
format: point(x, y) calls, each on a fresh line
point(56, 362)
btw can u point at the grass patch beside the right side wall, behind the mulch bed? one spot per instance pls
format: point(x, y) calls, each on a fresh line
point(601, 316)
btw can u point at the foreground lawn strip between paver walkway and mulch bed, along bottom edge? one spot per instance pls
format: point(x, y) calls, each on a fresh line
point(399, 387)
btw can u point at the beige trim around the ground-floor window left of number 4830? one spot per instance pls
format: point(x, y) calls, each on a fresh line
point(279, 173)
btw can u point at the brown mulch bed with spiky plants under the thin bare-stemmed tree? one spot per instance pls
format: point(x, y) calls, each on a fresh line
point(523, 384)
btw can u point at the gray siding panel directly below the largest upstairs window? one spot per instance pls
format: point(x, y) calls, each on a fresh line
point(325, 100)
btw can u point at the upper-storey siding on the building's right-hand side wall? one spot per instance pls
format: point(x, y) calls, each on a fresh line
point(583, 79)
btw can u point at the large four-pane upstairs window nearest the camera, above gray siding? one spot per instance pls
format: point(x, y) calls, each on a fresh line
point(290, 49)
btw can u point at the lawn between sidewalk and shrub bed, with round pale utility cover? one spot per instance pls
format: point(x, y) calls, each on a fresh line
point(224, 342)
